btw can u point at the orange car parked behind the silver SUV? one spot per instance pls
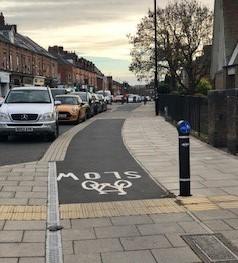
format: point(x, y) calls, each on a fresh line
point(71, 108)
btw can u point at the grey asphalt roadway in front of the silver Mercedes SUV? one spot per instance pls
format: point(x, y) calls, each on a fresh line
point(19, 149)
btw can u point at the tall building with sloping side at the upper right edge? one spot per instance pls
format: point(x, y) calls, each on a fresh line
point(224, 69)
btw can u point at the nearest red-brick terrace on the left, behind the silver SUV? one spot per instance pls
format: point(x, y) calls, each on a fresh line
point(22, 61)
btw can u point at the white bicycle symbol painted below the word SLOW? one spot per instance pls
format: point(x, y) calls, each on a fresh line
point(105, 188)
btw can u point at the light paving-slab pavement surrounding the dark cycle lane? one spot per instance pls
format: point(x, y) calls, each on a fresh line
point(152, 230)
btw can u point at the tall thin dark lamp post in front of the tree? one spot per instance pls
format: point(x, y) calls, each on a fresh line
point(156, 84)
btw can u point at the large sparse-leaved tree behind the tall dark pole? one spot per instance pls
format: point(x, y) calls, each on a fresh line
point(184, 27)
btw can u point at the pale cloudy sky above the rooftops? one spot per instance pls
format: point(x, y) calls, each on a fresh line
point(94, 29)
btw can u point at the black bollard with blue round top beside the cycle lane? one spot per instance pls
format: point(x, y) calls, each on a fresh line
point(184, 129)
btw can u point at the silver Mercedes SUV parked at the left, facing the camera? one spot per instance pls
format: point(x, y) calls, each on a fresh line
point(29, 110)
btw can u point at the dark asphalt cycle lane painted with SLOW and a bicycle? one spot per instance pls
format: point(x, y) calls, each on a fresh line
point(99, 168)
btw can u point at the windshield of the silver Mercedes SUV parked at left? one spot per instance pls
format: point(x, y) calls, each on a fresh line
point(28, 96)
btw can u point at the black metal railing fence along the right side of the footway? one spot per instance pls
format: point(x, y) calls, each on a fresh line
point(191, 108)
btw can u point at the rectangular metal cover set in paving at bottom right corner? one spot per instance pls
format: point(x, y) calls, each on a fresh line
point(212, 248)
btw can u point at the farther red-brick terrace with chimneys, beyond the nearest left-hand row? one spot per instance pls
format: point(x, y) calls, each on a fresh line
point(75, 71)
